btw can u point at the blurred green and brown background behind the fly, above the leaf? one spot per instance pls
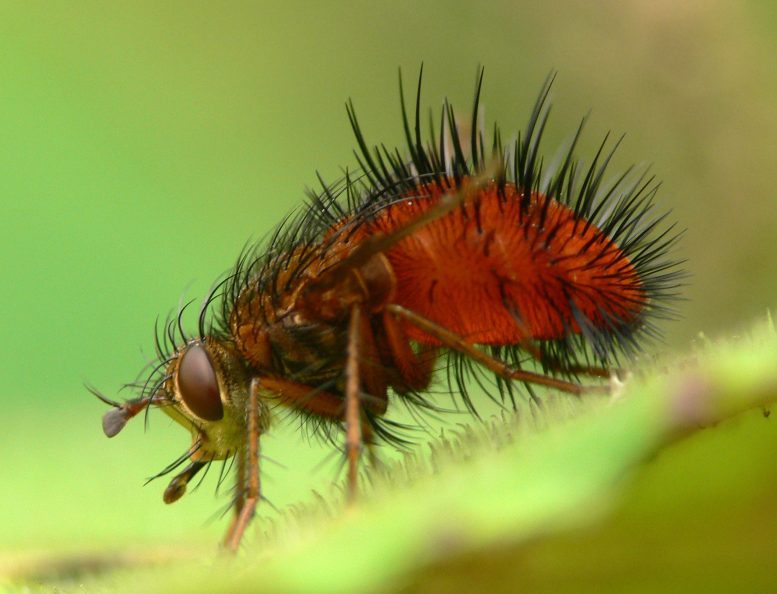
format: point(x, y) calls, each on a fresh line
point(142, 144)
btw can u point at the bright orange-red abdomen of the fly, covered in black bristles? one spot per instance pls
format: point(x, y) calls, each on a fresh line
point(496, 276)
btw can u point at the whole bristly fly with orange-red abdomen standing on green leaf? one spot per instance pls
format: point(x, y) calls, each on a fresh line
point(447, 257)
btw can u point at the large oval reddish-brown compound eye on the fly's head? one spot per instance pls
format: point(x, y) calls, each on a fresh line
point(198, 386)
